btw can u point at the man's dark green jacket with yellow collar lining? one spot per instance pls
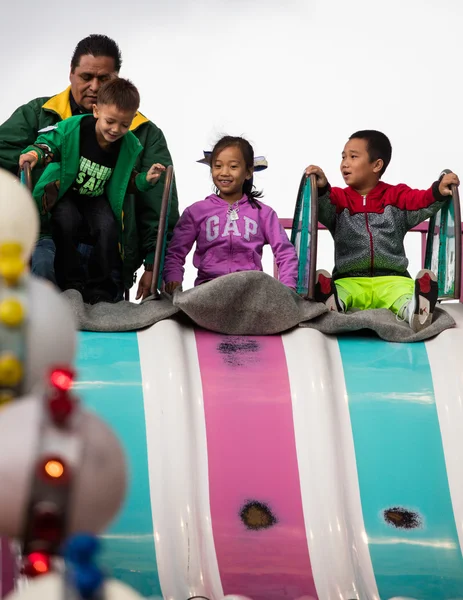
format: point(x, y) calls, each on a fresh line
point(142, 210)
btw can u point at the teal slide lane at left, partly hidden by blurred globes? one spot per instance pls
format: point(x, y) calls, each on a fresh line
point(109, 383)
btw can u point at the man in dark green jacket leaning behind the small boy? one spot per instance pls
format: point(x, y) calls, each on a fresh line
point(96, 59)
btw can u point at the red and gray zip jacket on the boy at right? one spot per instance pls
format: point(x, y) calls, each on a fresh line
point(369, 231)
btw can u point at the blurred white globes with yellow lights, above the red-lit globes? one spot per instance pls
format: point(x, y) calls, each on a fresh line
point(37, 328)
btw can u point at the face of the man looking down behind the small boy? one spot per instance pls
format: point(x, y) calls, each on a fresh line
point(87, 78)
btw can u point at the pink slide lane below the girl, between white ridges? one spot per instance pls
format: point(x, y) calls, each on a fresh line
point(255, 496)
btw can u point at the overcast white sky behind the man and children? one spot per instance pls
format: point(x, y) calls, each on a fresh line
point(295, 77)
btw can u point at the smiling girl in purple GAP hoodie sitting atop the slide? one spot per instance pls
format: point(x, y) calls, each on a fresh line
point(230, 227)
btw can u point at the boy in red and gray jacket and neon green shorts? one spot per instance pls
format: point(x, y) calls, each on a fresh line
point(368, 221)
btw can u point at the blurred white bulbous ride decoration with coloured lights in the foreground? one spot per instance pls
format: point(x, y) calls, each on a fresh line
point(63, 469)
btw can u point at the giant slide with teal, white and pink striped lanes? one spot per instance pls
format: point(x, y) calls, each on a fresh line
point(295, 466)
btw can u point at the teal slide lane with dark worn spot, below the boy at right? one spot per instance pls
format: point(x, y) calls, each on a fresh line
point(404, 490)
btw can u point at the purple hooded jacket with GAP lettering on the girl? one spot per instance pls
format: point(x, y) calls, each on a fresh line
point(224, 245)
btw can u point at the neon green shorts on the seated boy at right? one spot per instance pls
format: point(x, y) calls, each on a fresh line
point(362, 293)
